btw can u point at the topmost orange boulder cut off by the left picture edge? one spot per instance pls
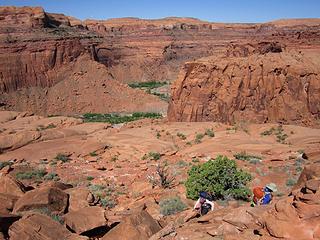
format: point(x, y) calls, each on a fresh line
point(11, 186)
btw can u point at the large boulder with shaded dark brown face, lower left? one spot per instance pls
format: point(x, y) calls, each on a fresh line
point(52, 199)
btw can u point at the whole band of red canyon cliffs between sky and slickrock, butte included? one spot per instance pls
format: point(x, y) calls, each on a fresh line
point(39, 51)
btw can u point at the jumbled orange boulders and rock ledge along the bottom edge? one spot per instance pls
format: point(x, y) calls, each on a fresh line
point(60, 211)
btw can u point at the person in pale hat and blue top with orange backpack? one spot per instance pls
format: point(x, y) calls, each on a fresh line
point(263, 196)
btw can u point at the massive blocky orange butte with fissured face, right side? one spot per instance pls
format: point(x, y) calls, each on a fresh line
point(273, 87)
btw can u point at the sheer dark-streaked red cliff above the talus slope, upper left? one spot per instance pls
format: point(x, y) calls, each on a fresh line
point(33, 48)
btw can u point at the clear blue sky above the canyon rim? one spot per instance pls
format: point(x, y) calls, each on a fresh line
point(211, 10)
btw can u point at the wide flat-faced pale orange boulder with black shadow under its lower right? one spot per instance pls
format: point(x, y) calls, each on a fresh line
point(85, 219)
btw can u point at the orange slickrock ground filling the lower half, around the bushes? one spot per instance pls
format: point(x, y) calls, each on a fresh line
point(109, 177)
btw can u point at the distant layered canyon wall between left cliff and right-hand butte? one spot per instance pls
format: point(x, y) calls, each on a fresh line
point(155, 49)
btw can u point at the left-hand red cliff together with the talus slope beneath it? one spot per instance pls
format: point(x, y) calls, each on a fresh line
point(47, 66)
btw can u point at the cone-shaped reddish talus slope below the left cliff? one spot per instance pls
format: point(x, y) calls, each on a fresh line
point(87, 86)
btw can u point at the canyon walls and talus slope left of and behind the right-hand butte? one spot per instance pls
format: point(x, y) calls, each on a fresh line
point(39, 50)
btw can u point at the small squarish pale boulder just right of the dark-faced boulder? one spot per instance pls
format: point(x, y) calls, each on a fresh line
point(79, 198)
